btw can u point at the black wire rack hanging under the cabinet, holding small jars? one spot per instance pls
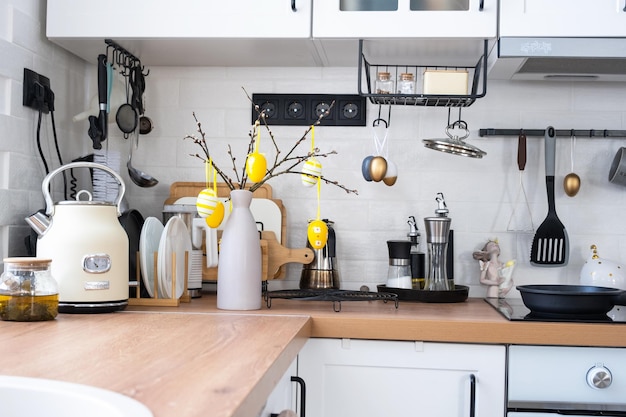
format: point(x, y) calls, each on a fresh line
point(477, 77)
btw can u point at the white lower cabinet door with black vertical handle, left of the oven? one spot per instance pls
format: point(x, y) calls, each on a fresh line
point(350, 377)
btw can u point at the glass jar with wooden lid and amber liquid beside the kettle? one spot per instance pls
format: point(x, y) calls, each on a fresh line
point(28, 292)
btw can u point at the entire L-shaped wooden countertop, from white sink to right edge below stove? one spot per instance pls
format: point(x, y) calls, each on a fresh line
point(196, 360)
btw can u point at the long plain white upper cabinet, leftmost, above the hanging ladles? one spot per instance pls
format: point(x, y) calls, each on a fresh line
point(179, 19)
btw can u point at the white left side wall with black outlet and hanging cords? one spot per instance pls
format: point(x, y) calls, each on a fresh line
point(23, 45)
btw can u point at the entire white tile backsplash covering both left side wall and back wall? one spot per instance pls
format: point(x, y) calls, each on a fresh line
point(479, 193)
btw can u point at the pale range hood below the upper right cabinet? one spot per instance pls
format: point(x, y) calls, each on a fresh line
point(558, 59)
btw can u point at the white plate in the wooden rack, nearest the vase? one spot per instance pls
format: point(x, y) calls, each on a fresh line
point(175, 239)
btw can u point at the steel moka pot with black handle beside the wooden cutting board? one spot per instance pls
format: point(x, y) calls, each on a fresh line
point(322, 272)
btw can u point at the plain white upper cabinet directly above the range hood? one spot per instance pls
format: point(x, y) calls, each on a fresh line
point(554, 18)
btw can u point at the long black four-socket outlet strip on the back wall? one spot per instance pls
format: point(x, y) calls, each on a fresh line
point(305, 109)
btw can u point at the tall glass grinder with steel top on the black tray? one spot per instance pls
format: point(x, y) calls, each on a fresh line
point(437, 233)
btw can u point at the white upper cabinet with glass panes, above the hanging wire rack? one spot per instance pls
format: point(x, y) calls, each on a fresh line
point(405, 19)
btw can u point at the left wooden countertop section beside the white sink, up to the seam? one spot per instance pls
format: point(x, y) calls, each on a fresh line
point(178, 365)
